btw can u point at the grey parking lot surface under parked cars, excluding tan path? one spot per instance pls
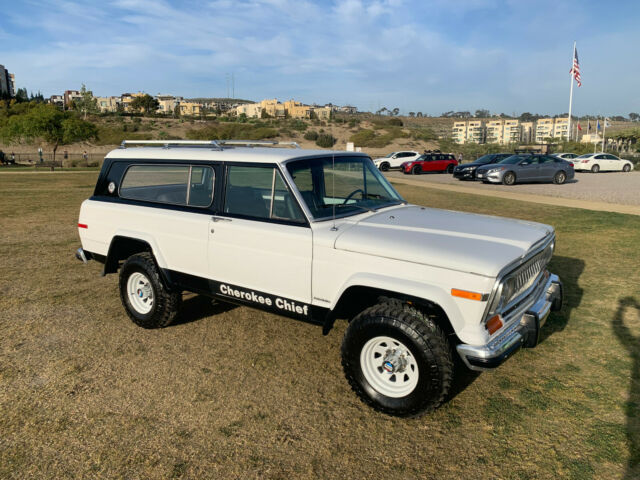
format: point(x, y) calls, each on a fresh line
point(605, 187)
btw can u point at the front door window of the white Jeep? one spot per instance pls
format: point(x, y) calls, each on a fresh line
point(259, 192)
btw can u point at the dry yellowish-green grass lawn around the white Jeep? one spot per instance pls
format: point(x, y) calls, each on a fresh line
point(237, 393)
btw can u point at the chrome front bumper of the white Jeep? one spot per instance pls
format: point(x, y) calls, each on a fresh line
point(517, 334)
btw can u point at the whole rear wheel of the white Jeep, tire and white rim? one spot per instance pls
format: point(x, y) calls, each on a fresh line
point(146, 300)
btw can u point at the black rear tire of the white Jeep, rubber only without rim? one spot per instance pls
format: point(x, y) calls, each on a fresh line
point(166, 302)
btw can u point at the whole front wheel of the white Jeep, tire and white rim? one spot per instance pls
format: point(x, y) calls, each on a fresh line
point(397, 360)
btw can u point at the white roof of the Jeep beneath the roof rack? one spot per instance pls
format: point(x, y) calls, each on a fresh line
point(225, 154)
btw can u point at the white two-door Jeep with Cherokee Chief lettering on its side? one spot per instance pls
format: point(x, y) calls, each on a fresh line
point(316, 236)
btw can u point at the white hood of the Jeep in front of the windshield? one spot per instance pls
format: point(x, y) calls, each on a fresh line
point(466, 242)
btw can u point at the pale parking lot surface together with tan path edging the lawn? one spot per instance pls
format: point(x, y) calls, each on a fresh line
point(612, 191)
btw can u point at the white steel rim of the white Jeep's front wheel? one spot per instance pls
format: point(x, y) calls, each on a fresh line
point(396, 378)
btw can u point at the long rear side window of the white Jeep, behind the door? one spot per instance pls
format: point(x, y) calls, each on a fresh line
point(173, 184)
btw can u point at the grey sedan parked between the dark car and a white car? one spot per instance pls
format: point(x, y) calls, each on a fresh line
point(527, 168)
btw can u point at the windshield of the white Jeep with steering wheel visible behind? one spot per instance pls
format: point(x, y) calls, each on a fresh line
point(346, 185)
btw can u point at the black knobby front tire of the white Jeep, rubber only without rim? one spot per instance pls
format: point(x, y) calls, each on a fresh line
point(426, 343)
